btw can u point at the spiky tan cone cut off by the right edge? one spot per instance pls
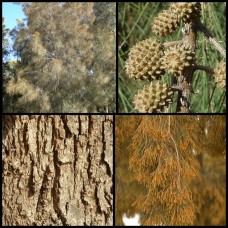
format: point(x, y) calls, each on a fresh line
point(220, 75)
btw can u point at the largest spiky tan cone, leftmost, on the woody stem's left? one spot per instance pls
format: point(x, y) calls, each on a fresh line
point(145, 60)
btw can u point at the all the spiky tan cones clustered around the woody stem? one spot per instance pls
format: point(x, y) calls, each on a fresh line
point(150, 60)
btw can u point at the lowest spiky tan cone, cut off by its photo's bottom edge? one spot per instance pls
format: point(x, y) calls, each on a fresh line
point(153, 98)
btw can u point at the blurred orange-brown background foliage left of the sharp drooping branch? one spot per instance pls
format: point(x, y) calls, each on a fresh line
point(126, 188)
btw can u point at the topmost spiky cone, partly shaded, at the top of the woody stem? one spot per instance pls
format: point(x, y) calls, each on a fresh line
point(186, 11)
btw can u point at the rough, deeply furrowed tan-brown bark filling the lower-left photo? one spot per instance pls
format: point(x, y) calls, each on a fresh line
point(57, 170)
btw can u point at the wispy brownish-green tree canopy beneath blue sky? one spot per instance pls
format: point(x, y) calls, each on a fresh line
point(66, 58)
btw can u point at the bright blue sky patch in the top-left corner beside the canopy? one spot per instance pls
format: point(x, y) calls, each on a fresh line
point(11, 12)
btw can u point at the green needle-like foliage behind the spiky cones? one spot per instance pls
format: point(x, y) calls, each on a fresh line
point(134, 25)
